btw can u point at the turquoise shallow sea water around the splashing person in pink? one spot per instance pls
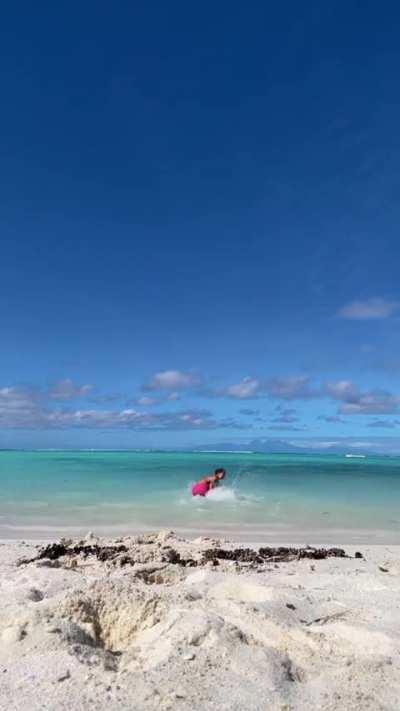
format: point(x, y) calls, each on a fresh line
point(277, 497)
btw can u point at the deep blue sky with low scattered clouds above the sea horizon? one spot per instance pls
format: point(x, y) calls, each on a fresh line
point(199, 217)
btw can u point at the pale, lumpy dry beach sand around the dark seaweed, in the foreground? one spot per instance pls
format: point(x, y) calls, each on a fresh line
point(77, 633)
